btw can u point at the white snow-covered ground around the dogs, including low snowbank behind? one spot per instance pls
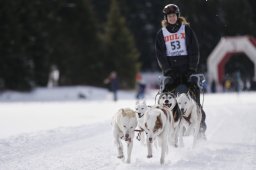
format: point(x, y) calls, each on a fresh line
point(69, 129)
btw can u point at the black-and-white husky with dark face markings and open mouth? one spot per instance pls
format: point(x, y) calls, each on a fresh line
point(168, 101)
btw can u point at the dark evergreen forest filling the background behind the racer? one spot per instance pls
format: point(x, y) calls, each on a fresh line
point(87, 39)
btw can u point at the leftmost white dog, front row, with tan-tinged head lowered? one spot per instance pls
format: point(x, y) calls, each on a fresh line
point(124, 123)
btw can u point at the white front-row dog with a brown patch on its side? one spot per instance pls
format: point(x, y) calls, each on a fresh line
point(157, 128)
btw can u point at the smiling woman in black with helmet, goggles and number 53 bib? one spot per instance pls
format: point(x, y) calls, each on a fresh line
point(177, 53)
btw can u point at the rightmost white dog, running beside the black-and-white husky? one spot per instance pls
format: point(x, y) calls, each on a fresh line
point(191, 117)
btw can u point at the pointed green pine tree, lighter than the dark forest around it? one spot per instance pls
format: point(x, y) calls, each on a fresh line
point(121, 53)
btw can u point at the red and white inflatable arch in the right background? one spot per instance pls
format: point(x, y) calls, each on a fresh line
point(225, 50)
